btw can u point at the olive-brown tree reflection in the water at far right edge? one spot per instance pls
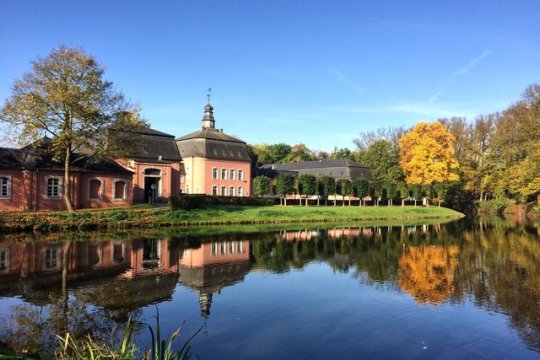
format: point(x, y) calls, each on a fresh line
point(499, 266)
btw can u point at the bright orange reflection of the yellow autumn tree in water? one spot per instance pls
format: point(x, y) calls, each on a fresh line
point(427, 273)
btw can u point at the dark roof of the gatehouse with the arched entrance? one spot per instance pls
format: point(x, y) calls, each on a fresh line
point(156, 145)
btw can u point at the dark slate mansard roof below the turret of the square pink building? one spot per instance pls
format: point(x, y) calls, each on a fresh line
point(213, 144)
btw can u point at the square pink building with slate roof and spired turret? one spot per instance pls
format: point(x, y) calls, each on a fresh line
point(214, 163)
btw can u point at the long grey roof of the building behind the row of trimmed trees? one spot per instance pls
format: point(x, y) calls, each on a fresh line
point(336, 168)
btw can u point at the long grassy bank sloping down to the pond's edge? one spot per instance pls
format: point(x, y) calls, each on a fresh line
point(126, 218)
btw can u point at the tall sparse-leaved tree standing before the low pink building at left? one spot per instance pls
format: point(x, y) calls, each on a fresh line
point(65, 98)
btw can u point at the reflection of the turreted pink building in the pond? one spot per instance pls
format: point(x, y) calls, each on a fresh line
point(212, 267)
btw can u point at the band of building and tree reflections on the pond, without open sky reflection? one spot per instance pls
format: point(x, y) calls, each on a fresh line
point(86, 286)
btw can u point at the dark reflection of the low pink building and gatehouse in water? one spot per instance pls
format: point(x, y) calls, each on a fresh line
point(137, 271)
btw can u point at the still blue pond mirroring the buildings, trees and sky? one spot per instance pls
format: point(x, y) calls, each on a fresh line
point(446, 291)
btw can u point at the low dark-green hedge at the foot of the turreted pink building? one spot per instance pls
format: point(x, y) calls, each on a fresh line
point(193, 201)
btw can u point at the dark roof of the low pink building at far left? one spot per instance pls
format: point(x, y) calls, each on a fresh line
point(30, 159)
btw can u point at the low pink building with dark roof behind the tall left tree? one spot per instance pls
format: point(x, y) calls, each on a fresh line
point(31, 180)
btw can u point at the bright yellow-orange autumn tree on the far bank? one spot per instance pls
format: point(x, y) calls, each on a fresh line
point(427, 154)
